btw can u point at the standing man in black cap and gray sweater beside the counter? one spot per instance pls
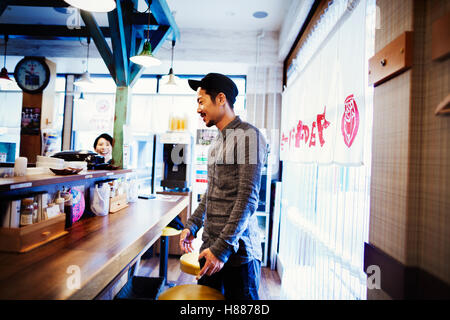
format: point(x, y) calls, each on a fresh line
point(230, 255)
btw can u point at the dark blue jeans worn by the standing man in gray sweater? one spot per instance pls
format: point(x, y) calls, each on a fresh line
point(235, 282)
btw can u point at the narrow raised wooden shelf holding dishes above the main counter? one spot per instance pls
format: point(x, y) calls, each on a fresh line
point(35, 180)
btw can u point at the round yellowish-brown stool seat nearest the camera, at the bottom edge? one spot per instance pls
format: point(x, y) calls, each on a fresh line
point(191, 292)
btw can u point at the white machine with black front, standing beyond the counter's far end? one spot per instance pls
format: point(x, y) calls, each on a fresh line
point(177, 158)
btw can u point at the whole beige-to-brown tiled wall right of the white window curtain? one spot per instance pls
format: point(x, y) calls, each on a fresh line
point(410, 193)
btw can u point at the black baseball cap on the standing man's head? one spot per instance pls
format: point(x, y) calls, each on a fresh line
point(217, 82)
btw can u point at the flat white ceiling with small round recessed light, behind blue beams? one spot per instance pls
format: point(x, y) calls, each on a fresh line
point(192, 14)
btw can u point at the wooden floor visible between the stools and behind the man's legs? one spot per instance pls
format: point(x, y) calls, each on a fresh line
point(269, 285)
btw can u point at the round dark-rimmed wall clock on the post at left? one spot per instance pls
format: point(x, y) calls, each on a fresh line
point(32, 74)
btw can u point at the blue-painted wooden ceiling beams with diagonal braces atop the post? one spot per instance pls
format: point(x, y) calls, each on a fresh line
point(128, 30)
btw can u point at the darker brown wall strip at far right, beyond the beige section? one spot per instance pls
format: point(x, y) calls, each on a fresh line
point(434, 191)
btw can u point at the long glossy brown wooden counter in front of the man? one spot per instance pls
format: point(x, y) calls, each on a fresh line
point(101, 247)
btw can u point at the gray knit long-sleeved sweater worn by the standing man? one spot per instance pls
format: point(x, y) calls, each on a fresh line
point(227, 210)
